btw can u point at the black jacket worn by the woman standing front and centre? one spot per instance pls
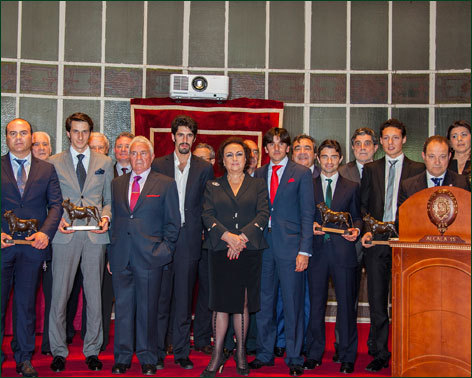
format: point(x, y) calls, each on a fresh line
point(247, 212)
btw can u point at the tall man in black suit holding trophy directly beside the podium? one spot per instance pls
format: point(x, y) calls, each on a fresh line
point(379, 193)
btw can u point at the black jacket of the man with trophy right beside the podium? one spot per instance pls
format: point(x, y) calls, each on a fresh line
point(373, 185)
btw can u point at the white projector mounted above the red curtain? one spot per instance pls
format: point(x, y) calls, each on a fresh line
point(199, 87)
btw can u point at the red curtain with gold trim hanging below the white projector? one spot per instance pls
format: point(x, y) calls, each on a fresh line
point(217, 120)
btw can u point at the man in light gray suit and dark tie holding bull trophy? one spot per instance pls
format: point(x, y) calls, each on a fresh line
point(85, 178)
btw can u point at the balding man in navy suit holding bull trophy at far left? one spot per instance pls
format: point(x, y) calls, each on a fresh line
point(30, 188)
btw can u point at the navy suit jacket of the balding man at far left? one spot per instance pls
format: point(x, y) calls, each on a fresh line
point(41, 200)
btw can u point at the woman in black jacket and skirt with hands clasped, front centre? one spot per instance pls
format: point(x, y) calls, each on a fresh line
point(235, 213)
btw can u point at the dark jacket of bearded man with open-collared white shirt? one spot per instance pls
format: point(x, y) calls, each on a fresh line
point(200, 172)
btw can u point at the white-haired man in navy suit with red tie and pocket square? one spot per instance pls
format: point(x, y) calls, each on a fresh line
point(146, 226)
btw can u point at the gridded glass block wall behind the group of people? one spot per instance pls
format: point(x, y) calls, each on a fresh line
point(336, 65)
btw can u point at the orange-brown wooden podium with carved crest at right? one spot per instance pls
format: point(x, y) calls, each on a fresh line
point(431, 290)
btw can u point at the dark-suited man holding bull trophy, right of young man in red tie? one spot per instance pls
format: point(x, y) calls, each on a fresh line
point(333, 256)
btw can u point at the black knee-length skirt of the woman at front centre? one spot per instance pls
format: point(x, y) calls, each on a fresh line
point(229, 280)
